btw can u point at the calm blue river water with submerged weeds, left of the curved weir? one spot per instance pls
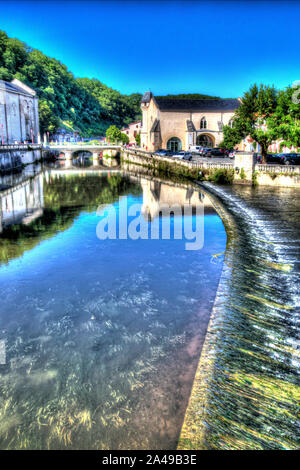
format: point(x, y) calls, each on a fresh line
point(102, 337)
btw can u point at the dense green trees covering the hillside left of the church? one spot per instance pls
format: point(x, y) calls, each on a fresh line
point(82, 103)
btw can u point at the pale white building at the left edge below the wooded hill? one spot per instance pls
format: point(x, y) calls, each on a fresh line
point(19, 119)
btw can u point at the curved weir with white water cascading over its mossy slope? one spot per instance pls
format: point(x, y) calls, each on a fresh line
point(247, 393)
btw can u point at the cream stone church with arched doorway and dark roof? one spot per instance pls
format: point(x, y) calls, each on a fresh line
point(180, 123)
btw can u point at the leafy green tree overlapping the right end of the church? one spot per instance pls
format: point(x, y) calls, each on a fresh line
point(251, 118)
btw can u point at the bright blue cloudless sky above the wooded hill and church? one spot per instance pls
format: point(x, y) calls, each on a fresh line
point(214, 47)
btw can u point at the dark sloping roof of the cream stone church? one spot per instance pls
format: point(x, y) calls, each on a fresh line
point(166, 104)
